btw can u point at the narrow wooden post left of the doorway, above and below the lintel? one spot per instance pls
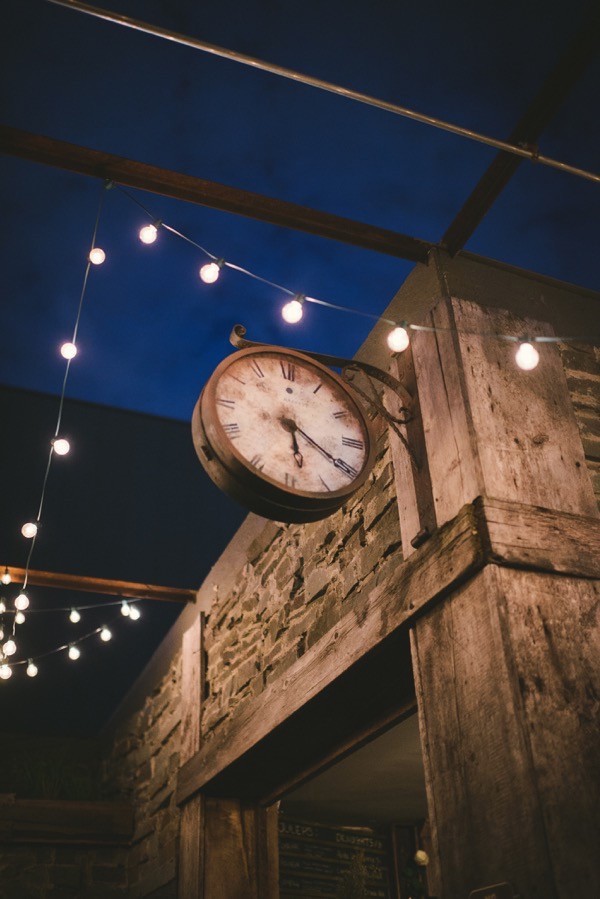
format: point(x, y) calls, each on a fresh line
point(227, 848)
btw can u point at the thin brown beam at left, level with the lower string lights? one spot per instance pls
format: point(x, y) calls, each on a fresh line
point(100, 585)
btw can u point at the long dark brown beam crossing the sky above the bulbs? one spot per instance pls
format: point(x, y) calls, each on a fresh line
point(85, 161)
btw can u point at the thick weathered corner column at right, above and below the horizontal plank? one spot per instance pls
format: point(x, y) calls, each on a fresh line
point(506, 662)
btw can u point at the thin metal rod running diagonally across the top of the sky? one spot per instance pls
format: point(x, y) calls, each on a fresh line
point(531, 153)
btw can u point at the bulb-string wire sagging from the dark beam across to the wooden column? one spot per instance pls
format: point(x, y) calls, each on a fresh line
point(338, 307)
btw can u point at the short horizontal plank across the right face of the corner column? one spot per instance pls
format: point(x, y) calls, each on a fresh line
point(524, 536)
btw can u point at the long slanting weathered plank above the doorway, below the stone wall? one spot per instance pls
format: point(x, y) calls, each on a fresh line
point(452, 554)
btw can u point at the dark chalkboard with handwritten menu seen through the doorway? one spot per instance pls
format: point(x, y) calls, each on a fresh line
point(313, 859)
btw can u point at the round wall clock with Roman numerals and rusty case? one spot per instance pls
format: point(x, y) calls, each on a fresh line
point(282, 434)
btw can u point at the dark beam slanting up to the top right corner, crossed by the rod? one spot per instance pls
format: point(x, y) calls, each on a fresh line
point(540, 112)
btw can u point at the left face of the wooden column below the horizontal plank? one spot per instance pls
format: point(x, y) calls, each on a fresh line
point(476, 750)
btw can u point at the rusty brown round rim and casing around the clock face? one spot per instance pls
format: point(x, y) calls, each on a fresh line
point(234, 474)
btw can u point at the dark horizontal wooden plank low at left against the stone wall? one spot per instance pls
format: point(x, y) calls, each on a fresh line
point(61, 821)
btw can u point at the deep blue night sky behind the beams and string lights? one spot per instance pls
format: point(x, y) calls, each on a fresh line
point(151, 332)
